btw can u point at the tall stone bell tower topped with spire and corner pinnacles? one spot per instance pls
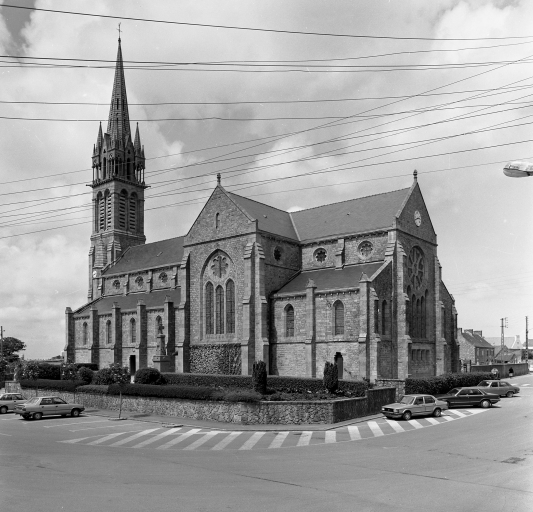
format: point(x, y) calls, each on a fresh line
point(118, 186)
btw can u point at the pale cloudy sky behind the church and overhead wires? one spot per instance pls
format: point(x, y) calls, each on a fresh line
point(288, 118)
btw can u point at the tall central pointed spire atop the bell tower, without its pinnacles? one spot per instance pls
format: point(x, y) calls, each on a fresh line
point(118, 125)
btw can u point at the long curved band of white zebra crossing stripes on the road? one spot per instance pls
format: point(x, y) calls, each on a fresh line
point(190, 439)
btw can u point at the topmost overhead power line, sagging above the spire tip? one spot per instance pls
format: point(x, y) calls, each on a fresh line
point(269, 30)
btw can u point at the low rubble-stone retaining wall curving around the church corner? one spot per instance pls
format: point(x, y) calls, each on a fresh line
point(258, 413)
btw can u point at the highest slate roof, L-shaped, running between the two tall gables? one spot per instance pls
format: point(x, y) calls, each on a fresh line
point(352, 216)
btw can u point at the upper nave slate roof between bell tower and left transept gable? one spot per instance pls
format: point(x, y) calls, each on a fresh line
point(156, 254)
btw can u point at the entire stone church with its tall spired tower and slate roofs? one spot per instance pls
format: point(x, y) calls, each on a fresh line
point(357, 282)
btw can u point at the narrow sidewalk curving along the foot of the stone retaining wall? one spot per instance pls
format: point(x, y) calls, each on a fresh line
point(171, 421)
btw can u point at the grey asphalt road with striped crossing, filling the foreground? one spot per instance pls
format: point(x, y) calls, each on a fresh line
point(479, 460)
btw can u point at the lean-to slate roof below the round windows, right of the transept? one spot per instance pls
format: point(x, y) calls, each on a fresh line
point(331, 278)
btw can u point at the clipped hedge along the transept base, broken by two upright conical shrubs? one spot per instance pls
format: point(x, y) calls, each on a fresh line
point(355, 388)
